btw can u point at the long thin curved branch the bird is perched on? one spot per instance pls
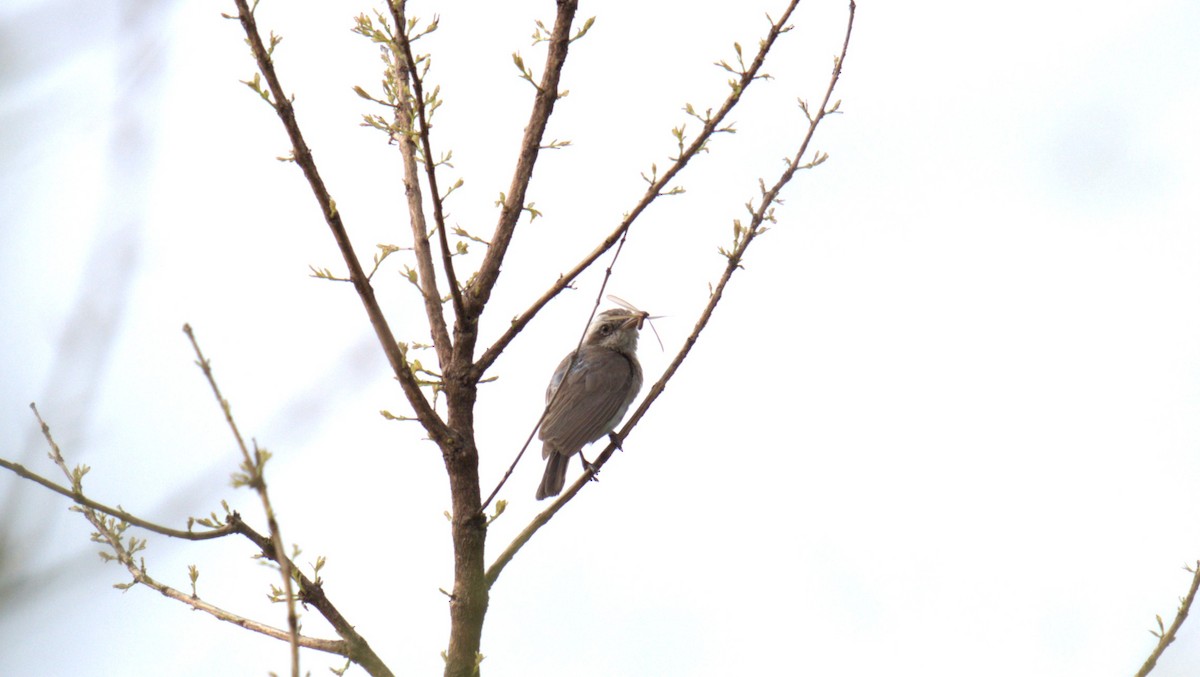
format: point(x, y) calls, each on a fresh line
point(761, 214)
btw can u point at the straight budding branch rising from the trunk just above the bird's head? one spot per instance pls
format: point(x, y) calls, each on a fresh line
point(653, 193)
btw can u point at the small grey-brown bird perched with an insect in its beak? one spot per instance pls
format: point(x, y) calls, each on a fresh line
point(590, 393)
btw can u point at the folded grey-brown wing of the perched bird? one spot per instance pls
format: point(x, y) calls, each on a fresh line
point(597, 391)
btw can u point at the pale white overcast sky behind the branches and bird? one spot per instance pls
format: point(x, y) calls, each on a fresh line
point(944, 424)
